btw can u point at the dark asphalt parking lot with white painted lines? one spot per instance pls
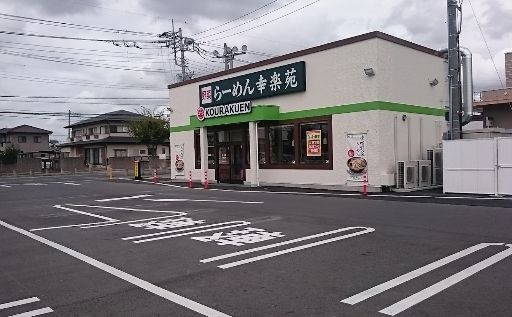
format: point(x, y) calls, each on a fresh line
point(84, 246)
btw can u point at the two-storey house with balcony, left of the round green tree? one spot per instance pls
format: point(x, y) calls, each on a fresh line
point(99, 138)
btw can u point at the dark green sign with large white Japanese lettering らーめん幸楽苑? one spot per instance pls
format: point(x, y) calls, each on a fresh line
point(262, 84)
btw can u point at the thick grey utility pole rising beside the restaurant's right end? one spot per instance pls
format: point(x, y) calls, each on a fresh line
point(455, 102)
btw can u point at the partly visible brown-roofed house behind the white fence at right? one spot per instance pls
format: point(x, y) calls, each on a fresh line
point(496, 105)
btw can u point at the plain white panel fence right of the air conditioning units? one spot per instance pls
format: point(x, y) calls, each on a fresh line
point(478, 166)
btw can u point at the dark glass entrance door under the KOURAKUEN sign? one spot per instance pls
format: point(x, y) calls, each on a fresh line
point(230, 163)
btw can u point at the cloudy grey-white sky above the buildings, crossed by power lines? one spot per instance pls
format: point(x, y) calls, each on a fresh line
point(99, 56)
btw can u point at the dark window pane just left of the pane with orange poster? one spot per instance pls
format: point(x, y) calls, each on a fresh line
point(282, 145)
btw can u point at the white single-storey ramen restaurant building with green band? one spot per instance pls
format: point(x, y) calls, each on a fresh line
point(328, 116)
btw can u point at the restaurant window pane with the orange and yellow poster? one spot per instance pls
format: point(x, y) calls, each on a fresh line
point(314, 140)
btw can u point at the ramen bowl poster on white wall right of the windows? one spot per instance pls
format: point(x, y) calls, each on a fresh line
point(357, 165)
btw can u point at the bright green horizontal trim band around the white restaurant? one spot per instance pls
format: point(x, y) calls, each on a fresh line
point(271, 112)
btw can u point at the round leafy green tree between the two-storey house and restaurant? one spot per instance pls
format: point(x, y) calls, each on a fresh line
point(151, 129)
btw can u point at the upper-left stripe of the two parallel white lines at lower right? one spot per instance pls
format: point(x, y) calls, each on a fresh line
point(413, 274)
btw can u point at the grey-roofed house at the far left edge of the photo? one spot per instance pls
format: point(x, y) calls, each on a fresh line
point(29, 140)
